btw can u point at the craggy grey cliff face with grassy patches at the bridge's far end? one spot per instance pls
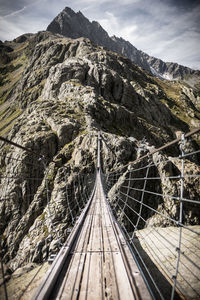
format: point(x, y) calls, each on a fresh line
point(57, 93)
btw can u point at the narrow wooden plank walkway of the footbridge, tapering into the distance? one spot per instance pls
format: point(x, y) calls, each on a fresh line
point(100, 264)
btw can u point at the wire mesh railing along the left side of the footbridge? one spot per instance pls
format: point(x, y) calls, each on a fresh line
point(38, 198)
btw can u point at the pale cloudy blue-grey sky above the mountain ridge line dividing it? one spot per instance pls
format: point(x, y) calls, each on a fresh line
point(166, 29)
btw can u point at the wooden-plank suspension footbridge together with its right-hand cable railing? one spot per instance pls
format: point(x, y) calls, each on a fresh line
point(108, 255)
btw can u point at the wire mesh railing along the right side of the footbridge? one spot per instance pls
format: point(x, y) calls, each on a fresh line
point(156, 200)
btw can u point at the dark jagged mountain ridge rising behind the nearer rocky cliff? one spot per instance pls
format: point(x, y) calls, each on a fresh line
point(75, 25)
